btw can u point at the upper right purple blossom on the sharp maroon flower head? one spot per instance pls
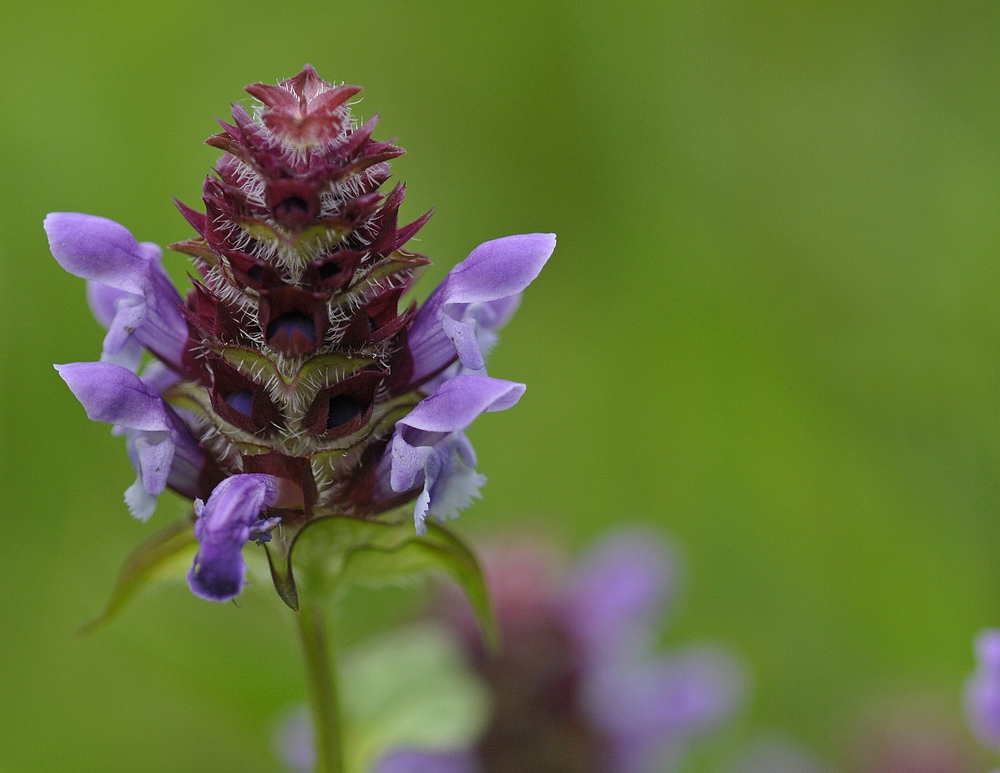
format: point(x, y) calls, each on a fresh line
point(481, 292)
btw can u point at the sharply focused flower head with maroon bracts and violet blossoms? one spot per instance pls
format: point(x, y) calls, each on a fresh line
point(288, 385)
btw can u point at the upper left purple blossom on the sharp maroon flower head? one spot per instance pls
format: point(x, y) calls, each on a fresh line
point(102, 251)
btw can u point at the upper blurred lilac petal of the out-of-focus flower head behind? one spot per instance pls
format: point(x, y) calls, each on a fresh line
point(617, 591)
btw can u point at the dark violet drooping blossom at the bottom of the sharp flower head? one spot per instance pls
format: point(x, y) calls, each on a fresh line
point(223, 527)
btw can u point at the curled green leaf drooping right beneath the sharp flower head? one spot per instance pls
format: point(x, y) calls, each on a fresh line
point(330, 552)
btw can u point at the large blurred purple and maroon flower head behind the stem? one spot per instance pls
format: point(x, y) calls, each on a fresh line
point(574, 688)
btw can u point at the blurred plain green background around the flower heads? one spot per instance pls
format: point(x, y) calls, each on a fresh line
point(770, 329)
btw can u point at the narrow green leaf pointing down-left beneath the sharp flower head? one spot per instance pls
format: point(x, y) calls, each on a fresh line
point(168, 554)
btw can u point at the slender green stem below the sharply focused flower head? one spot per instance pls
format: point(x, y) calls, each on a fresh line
point(322, 684)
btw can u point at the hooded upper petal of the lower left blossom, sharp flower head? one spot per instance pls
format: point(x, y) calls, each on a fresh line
point(115, 395)
